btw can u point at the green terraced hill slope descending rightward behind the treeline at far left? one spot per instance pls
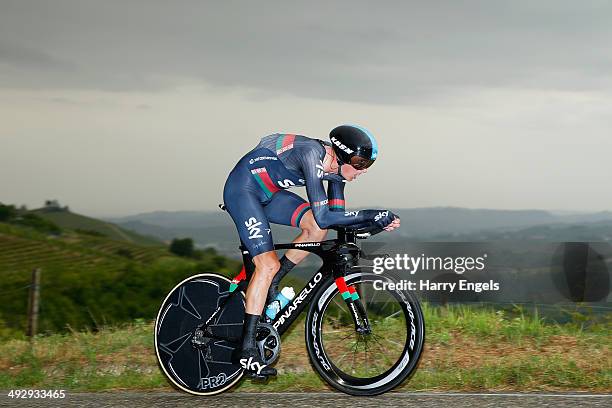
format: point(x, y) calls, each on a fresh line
point(66, 219)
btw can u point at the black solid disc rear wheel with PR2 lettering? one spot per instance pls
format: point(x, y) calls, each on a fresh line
point(188, 304)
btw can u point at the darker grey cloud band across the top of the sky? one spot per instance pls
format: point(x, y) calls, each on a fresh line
point(402, 53)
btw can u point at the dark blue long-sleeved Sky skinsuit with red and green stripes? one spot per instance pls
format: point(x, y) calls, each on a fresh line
point(255, 192)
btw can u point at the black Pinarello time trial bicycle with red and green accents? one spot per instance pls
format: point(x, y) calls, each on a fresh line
point(360, 340)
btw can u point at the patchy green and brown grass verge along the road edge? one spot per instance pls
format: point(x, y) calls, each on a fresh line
point(467, 348)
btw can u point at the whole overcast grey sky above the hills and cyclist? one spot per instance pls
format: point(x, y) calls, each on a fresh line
point(120, 107)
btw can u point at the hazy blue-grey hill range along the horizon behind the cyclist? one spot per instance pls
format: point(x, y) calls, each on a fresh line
point(216, 229)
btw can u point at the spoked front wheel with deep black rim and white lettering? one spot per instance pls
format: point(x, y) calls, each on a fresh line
point(367, 363)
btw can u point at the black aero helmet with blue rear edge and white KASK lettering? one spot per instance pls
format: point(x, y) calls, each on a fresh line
point(354, 145)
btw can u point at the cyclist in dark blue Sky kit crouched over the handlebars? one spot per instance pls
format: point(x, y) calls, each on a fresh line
point(256, 195)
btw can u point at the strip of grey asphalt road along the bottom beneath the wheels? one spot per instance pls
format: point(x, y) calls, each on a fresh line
point(297, 400)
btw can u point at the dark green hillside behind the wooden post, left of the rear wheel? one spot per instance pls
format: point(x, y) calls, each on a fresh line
point(87, 280)
